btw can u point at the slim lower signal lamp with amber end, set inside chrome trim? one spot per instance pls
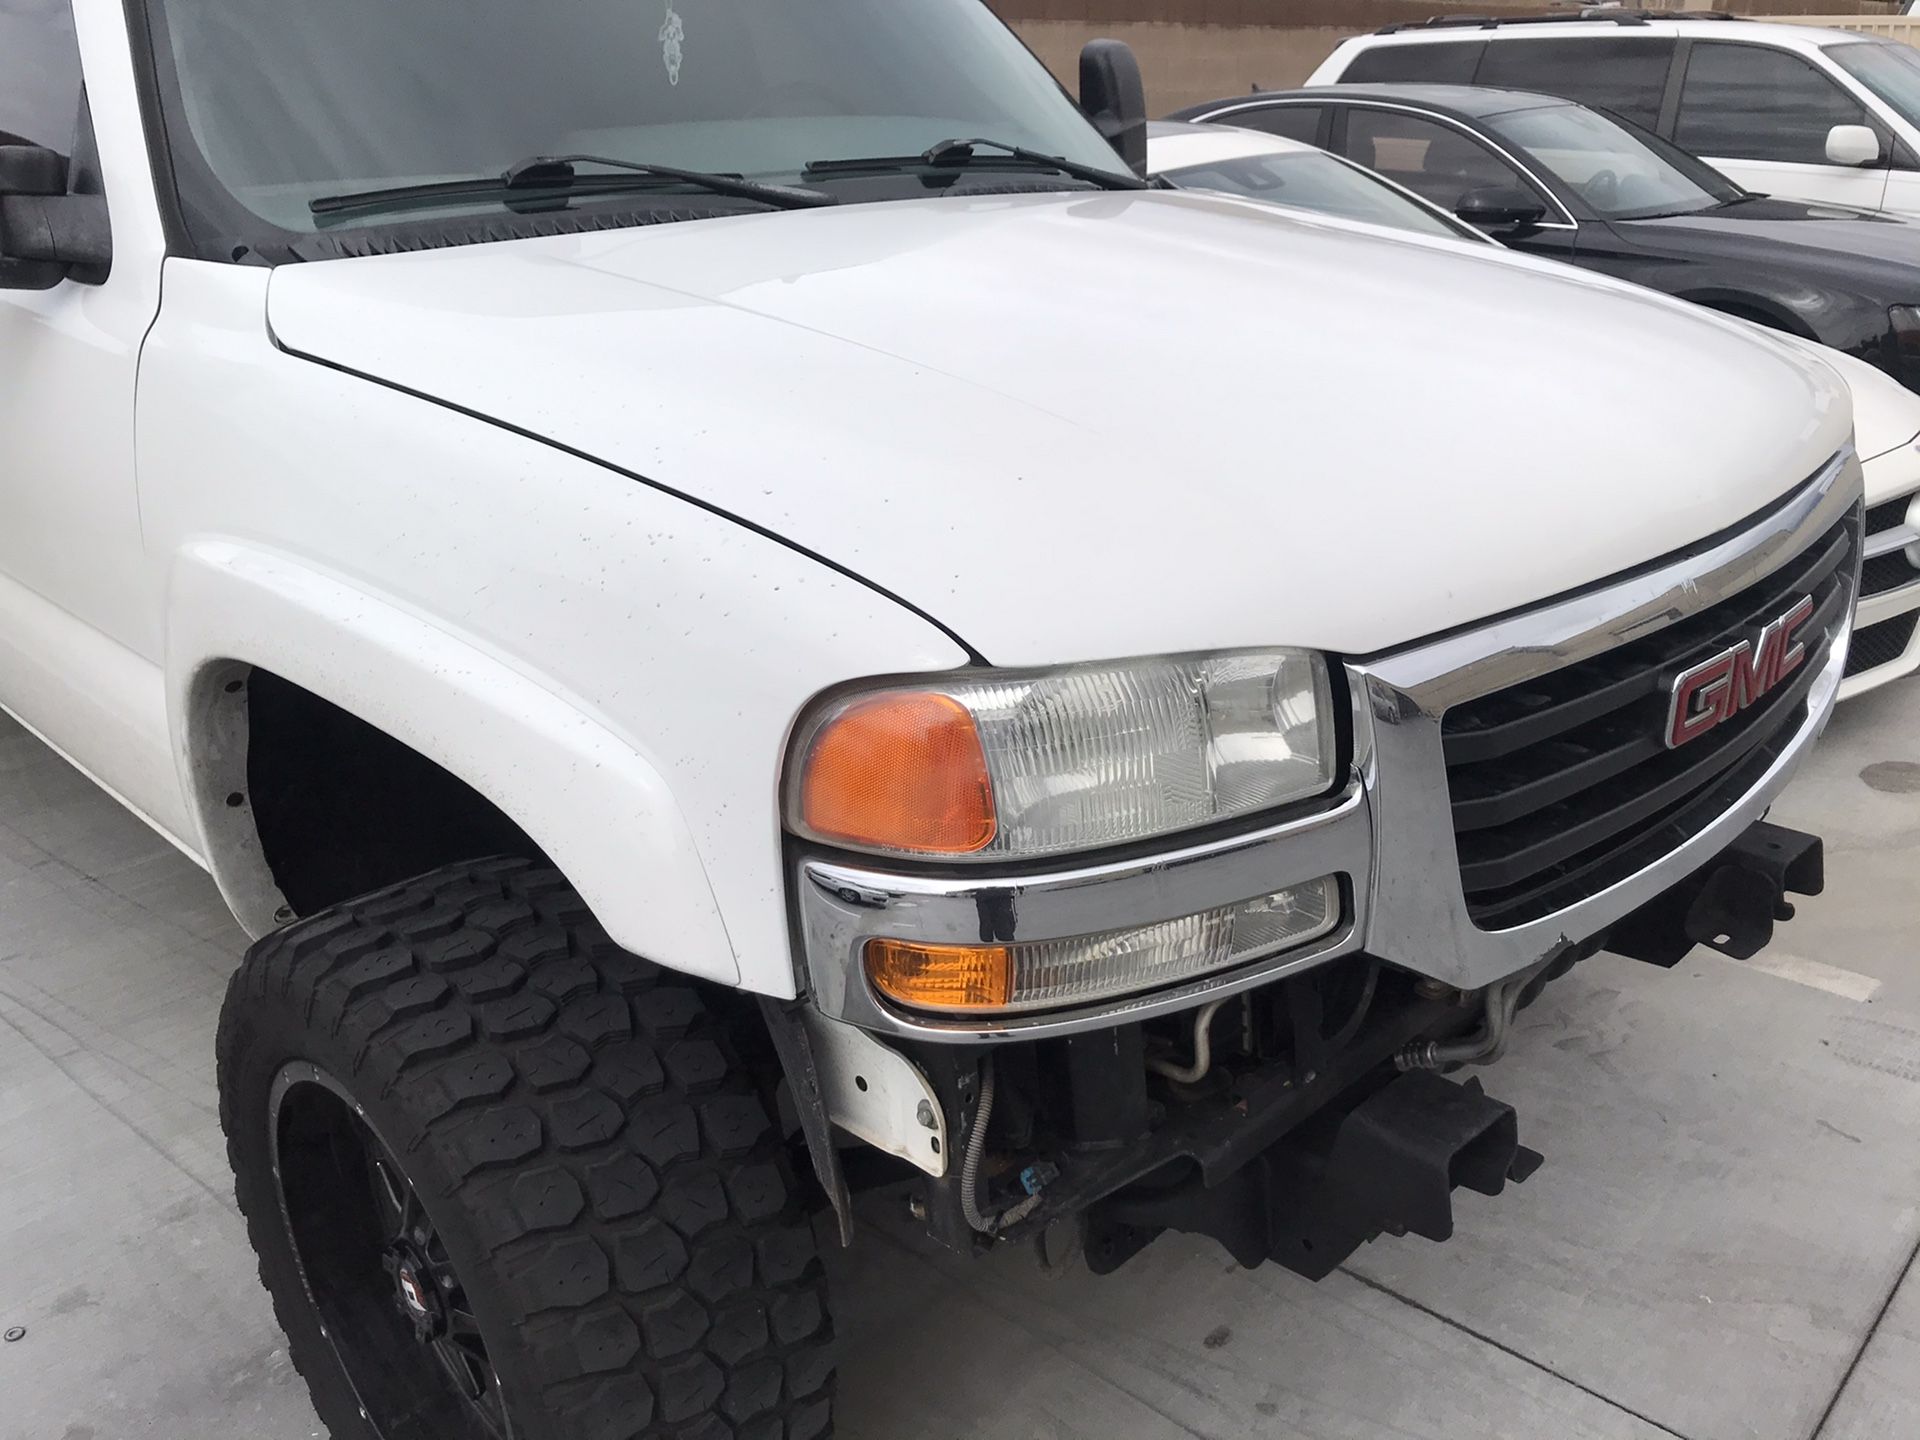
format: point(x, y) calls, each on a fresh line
point(1045, 974)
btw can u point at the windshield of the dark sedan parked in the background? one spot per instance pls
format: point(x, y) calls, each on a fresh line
point(1621, 174)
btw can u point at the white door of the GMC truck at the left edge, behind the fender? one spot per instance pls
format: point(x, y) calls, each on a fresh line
point(80, 625)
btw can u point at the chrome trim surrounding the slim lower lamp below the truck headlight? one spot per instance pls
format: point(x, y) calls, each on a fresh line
point(842, 907)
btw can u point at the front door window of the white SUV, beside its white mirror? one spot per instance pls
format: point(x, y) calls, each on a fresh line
point(1754, 103)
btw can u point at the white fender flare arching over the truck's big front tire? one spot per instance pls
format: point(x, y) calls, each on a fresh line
point(583, 792)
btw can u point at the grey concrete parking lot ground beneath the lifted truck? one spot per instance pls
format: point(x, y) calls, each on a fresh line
point(1719, 1249)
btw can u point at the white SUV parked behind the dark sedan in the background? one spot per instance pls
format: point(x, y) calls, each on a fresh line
point(1781, 108)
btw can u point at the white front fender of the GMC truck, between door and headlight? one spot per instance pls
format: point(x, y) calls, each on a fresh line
point(613, 667)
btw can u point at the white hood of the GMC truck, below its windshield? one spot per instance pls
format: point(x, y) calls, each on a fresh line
point(1078, 427)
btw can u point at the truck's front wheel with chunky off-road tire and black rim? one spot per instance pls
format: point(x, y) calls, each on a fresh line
point(512, 1184)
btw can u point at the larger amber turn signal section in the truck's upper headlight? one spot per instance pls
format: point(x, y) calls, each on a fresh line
point(901, 771)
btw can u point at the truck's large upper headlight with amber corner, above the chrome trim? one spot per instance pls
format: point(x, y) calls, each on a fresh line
point(997, 765)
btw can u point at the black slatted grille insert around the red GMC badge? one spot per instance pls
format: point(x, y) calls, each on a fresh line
point(1564, 784)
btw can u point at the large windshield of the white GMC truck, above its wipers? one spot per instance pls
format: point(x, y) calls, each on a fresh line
point(356, 95)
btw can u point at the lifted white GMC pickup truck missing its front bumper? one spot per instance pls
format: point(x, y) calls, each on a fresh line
point(629, 542)
